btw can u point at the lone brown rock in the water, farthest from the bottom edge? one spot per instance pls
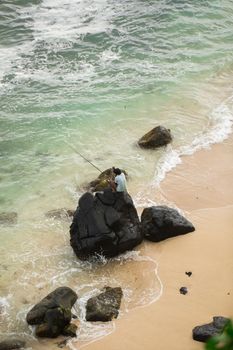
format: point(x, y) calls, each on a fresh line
point(157, 137)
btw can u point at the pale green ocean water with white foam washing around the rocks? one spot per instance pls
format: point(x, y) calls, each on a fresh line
point(94, 76)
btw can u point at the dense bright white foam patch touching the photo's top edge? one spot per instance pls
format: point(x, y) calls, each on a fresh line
point(59, 19)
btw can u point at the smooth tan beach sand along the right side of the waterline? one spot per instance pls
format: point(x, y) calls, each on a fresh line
point(202, 187)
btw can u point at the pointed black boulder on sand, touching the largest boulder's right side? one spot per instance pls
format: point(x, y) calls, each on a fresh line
point(161, 222)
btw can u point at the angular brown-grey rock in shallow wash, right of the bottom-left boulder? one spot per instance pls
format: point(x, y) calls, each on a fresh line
point(105, 306)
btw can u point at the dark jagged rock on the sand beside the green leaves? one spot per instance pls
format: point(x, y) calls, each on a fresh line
point(206, 331)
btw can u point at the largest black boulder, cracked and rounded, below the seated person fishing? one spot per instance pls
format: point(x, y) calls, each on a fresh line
point(106, 223)
